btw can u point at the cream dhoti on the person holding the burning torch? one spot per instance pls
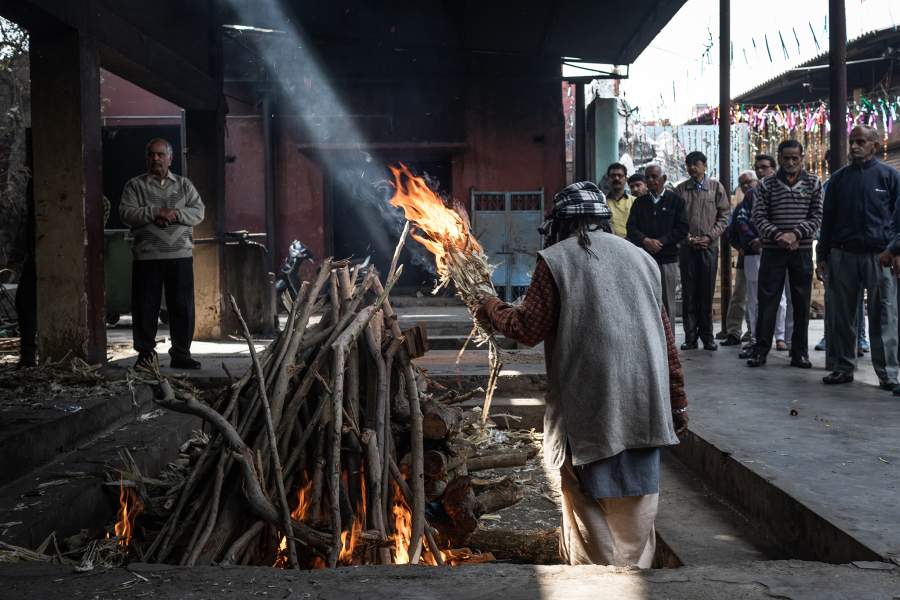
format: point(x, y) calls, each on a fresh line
point(609, 531)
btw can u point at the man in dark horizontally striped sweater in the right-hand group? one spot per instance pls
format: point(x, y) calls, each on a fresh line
point(787, 213)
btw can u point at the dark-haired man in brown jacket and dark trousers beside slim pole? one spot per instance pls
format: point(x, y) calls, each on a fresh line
point(708, 207)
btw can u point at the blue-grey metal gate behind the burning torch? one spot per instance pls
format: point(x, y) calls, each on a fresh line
point(506, 224)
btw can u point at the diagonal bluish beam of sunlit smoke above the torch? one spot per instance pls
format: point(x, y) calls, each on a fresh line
point(293, 65)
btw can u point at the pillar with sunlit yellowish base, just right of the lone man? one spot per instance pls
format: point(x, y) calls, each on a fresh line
point(205, 153)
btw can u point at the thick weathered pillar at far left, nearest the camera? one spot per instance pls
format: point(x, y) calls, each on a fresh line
point(68, 195)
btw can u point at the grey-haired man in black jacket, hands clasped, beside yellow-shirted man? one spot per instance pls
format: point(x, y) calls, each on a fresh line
point(658, 223)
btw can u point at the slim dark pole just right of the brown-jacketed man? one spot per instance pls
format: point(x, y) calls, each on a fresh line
point(725, 143)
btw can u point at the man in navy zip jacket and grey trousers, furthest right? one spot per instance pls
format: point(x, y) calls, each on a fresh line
point(860, 224)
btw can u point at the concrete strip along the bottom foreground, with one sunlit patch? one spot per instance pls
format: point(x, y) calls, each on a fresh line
point(757, 580)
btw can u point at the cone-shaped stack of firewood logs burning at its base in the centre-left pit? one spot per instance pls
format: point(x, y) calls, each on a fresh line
point(327, 451)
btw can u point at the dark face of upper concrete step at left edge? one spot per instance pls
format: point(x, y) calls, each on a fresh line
point(46, 436)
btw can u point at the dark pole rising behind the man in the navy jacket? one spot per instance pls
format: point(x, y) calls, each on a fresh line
point(837, 64)
